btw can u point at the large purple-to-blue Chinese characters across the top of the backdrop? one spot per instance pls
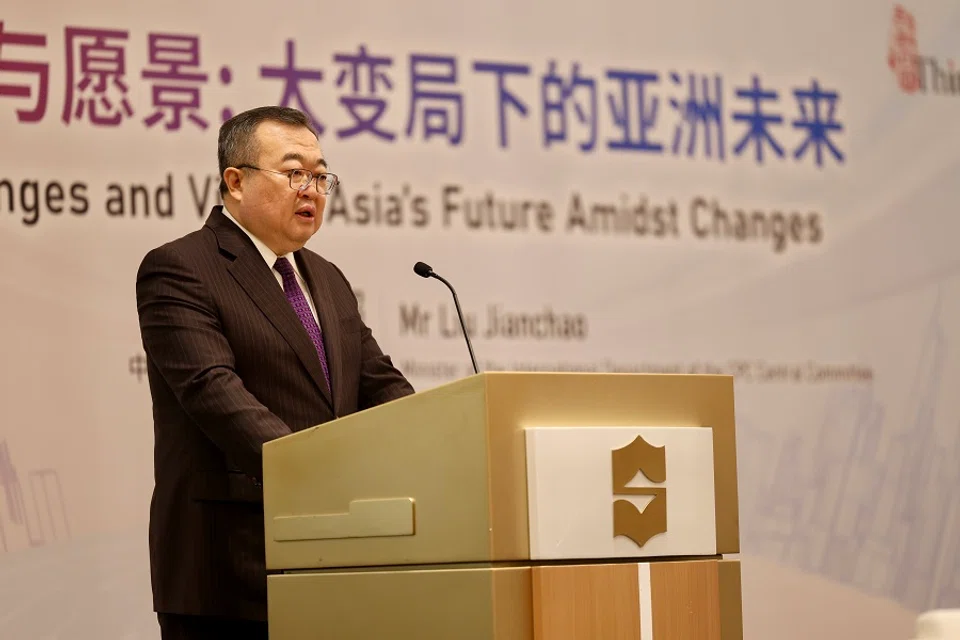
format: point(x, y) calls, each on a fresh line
point(690, 114)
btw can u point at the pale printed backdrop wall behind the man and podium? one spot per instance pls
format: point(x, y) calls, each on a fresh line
point(756, 188)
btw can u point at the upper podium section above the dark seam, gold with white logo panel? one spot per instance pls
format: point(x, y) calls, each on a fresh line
point(444, 475)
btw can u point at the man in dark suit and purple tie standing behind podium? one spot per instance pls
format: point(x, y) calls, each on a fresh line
point(248, 337)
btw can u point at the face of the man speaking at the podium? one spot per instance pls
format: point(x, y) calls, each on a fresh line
point(283, 218)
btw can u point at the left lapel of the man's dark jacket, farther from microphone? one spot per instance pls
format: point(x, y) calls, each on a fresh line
point(256, 279)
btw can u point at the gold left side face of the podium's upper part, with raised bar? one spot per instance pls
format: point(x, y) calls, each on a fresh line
point(392, 485)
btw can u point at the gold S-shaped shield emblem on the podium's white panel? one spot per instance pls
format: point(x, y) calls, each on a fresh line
point(628, 520)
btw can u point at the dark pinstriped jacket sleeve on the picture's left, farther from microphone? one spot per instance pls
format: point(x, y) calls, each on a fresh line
point(183, 339)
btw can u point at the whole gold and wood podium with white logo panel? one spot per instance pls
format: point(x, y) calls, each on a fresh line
point(511, 506)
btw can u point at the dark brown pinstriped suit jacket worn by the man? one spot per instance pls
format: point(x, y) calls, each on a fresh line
point(231, 367)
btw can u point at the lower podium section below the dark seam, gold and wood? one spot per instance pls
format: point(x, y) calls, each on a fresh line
point(668, 600)
